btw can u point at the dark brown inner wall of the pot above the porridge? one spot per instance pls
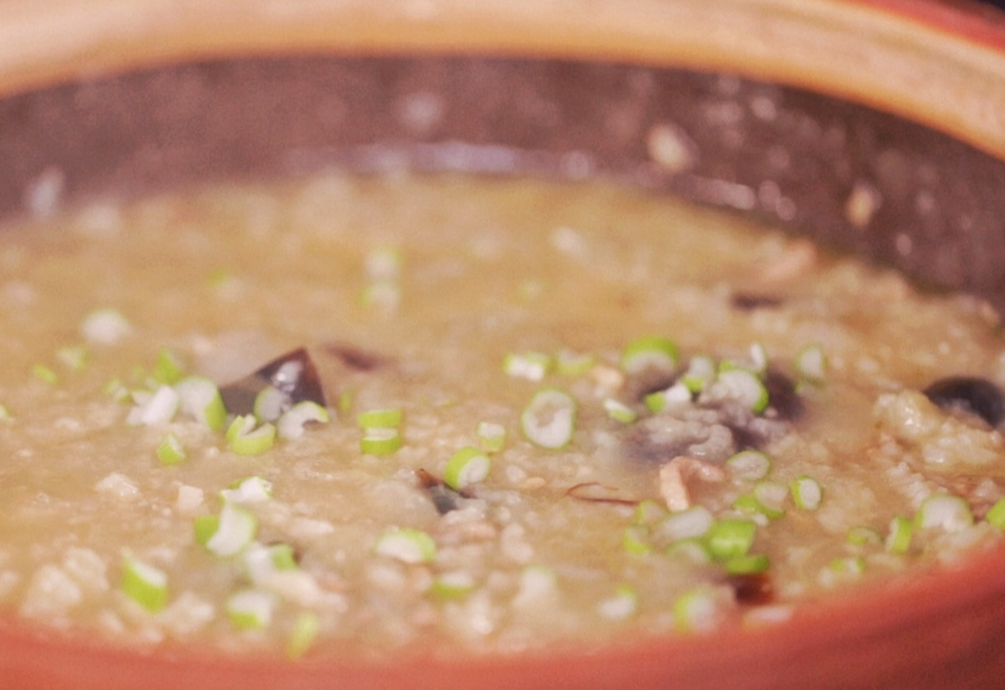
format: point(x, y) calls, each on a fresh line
point(852, 177)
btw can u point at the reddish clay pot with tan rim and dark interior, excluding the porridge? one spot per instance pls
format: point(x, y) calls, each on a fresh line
point(795, 111)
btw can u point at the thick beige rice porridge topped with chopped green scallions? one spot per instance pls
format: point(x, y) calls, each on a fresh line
point(471, 416)
